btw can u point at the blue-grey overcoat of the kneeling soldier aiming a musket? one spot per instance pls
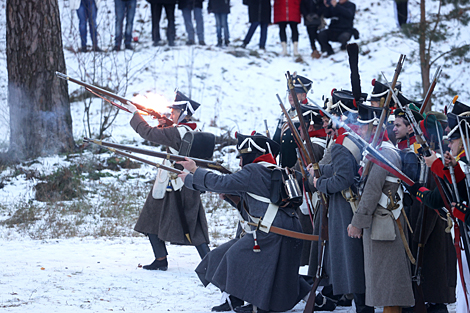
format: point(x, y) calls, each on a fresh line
point(268, 279)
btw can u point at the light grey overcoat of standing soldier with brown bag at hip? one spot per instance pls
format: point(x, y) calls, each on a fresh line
point(388, 273)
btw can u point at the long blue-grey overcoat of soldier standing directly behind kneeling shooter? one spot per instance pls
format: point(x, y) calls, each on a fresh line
point(344, 263)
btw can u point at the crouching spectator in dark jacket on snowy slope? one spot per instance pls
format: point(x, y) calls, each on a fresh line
point(341, 27)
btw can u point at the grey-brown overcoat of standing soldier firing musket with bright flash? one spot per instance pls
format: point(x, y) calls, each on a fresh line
point(160, 216)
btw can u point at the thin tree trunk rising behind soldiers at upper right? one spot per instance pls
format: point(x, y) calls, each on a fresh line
point(423, 53)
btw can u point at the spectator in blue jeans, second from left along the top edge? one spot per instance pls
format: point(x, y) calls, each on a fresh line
point(124, 8)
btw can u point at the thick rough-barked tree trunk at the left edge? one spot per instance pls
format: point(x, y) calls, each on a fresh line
point(40, 119)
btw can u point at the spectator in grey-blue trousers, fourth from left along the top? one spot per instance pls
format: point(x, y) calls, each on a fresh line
point(188, 6)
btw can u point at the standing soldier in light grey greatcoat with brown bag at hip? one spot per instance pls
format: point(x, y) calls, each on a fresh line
point(387, 266)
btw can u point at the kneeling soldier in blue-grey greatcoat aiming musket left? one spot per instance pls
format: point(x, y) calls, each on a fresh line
point(260, 268)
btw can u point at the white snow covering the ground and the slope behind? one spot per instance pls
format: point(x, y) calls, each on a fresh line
point(237, 89)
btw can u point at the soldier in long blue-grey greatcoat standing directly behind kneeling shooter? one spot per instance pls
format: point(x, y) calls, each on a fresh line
point(344, 257)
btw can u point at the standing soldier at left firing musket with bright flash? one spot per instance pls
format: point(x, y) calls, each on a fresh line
point(172, 212)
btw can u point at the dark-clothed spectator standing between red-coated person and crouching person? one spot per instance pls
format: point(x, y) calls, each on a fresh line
point(312, 11)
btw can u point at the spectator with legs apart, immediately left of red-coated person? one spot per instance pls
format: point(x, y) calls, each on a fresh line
point(259, 14)
